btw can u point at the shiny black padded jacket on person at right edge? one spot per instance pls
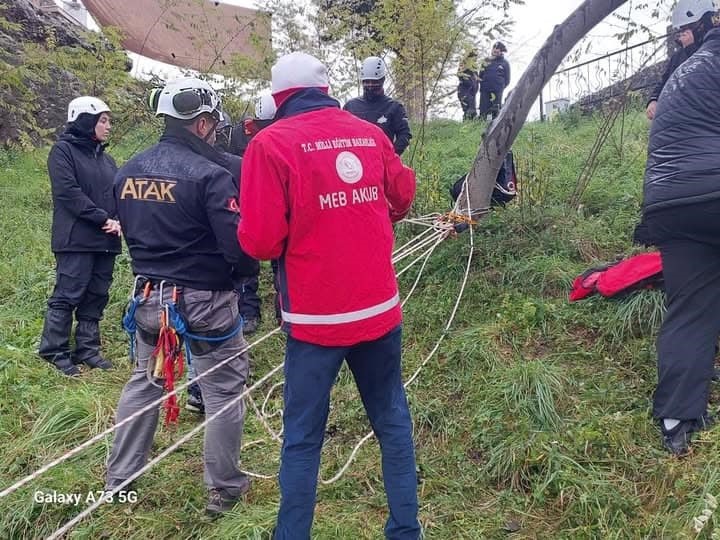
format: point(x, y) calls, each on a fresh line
point(683, 164)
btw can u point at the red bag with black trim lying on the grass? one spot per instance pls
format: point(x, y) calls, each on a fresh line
point(642, 271)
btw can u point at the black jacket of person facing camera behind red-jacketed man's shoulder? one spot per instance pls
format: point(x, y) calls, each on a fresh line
point(387, 114)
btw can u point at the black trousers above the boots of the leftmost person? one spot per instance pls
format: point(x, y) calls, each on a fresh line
point(82, 284)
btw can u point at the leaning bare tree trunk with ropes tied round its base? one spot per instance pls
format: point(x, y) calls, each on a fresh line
point(500, 135)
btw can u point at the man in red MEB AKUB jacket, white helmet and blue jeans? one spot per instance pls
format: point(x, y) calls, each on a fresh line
point(320, 191)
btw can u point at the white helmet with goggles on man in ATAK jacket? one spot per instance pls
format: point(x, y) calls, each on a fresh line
point(188, 98)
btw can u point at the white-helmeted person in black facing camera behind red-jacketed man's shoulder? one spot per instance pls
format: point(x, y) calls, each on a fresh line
point(377, 108)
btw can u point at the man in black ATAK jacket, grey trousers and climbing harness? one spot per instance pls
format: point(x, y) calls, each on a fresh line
point(178, 206)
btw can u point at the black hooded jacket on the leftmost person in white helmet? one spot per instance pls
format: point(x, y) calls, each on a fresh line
point(81, 178)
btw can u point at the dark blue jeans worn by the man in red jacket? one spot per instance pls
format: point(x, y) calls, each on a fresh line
point(310, 371)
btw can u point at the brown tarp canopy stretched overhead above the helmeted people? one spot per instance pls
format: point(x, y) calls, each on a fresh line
point(196, 34)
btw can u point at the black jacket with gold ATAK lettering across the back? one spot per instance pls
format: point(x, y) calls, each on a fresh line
point(178, 207)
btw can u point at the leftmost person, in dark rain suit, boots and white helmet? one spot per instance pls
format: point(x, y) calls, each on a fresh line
point(85, 237)
